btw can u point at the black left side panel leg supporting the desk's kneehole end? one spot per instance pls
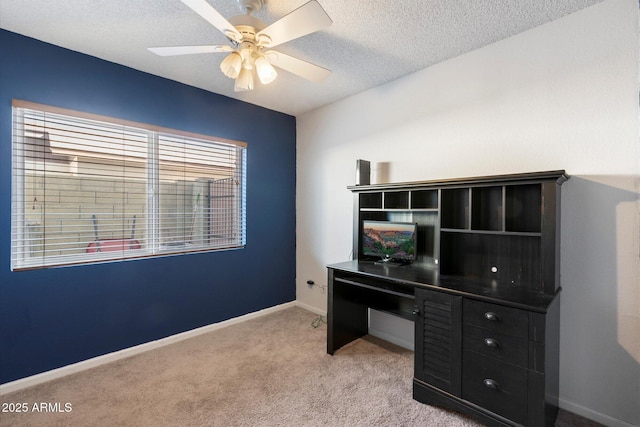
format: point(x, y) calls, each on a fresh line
point(346, 320)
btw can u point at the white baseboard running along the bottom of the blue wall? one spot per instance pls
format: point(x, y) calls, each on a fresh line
point(23, 383)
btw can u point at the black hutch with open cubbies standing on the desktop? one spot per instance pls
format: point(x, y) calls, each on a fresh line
point(489, 228)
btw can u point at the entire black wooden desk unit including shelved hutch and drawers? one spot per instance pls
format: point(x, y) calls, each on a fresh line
point(484, 289)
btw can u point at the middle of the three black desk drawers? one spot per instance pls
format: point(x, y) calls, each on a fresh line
point(490, 343)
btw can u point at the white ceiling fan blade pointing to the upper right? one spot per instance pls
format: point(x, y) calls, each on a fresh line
point(306, 19)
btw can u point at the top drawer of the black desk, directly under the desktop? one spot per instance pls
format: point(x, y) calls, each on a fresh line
point(504, 320)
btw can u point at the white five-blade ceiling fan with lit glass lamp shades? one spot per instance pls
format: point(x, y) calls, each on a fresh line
point(252, 41)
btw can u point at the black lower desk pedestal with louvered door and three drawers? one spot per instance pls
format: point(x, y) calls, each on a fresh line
point(492, 361)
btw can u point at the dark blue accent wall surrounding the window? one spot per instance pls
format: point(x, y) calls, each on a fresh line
point(54, 317)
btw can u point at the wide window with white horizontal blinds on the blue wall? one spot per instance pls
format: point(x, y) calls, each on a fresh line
point(91, 189)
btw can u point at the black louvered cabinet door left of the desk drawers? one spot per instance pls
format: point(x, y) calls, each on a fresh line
point(438, 340)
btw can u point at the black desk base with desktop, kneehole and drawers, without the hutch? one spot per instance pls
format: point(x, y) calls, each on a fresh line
point(502, 371)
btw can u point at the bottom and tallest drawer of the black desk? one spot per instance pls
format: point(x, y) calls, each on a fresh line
point(495, 385)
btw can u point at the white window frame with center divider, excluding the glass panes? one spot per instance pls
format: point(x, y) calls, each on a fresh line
point(19, 259)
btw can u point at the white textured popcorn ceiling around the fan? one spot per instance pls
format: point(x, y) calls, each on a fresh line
point(369, 43)
